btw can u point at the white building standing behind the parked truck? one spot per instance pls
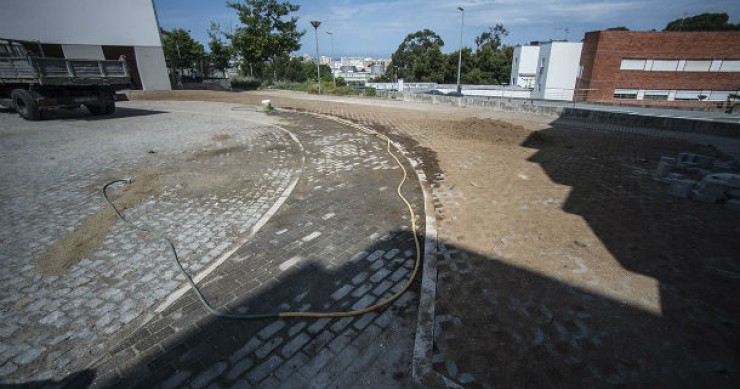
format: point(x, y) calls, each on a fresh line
point(95, 29)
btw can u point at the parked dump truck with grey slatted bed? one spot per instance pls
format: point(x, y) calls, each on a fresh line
point(32, 83)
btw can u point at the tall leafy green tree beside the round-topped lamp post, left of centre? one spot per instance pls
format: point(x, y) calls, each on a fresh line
point(267, 32)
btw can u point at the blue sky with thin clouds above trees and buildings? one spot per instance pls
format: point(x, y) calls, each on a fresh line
point(375, 28)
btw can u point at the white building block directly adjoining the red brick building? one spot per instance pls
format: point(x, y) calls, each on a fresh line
point(557, 70)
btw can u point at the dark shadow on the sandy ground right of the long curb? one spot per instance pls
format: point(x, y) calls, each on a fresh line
point(540, 331)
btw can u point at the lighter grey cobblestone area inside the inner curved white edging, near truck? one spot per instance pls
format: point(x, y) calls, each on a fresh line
point(51, 174)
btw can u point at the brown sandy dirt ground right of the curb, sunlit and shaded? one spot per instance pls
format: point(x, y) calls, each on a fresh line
point(562, 260)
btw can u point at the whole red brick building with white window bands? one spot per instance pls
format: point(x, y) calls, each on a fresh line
point(659, 68)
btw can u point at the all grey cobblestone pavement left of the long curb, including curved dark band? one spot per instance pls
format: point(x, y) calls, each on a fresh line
point(339, 241)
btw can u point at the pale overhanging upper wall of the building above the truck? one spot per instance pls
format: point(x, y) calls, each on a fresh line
point(82, 22)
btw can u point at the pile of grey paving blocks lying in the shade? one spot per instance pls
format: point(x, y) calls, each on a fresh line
point(702, 178)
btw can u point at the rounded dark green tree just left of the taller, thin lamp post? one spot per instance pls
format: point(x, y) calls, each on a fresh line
point(419, 57)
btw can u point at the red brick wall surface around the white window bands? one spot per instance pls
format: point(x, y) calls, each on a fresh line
point(603, 52)
